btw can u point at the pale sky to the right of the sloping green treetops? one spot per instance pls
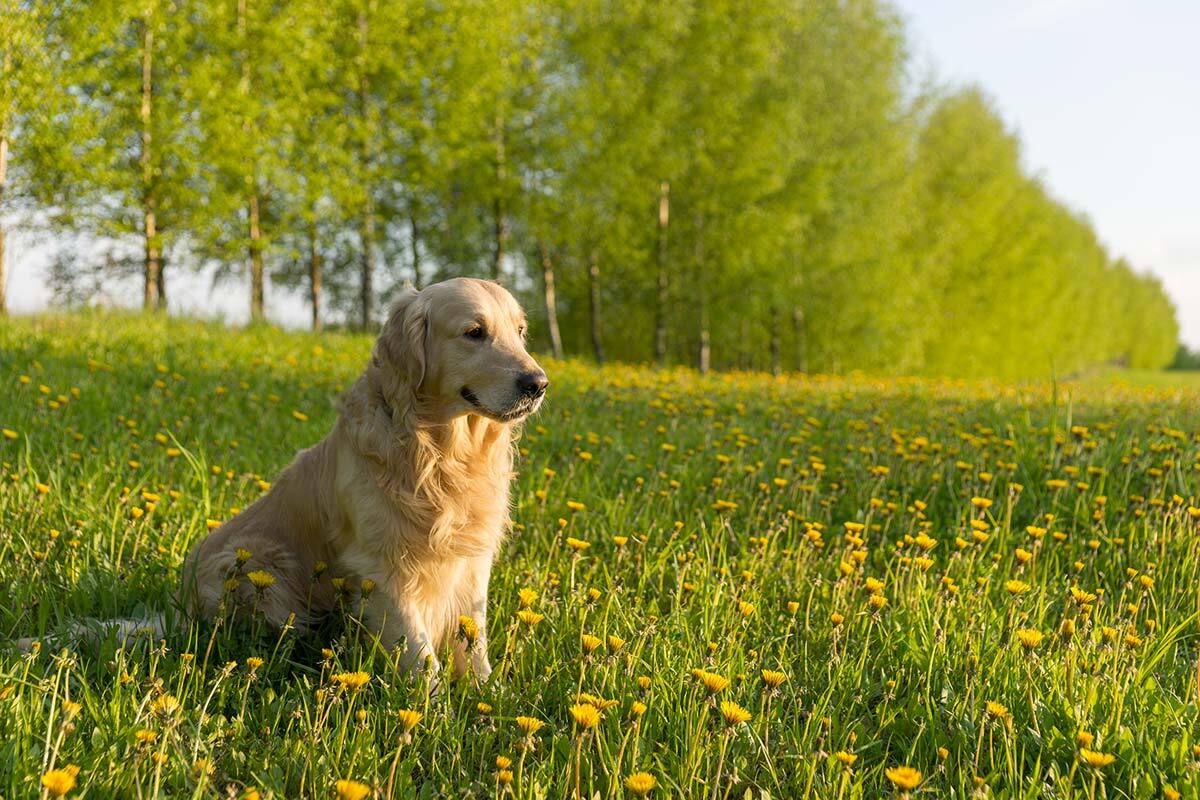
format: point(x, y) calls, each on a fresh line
point(1105, 95)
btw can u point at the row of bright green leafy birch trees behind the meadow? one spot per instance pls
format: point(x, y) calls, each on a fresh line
point(728, 184)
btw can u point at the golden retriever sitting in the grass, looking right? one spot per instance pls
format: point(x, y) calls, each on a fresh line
point(401, 510)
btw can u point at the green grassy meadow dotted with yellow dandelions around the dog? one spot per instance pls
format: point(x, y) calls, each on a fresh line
point(730, 586)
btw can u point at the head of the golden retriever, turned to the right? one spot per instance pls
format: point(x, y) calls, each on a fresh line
point(459, 347)
